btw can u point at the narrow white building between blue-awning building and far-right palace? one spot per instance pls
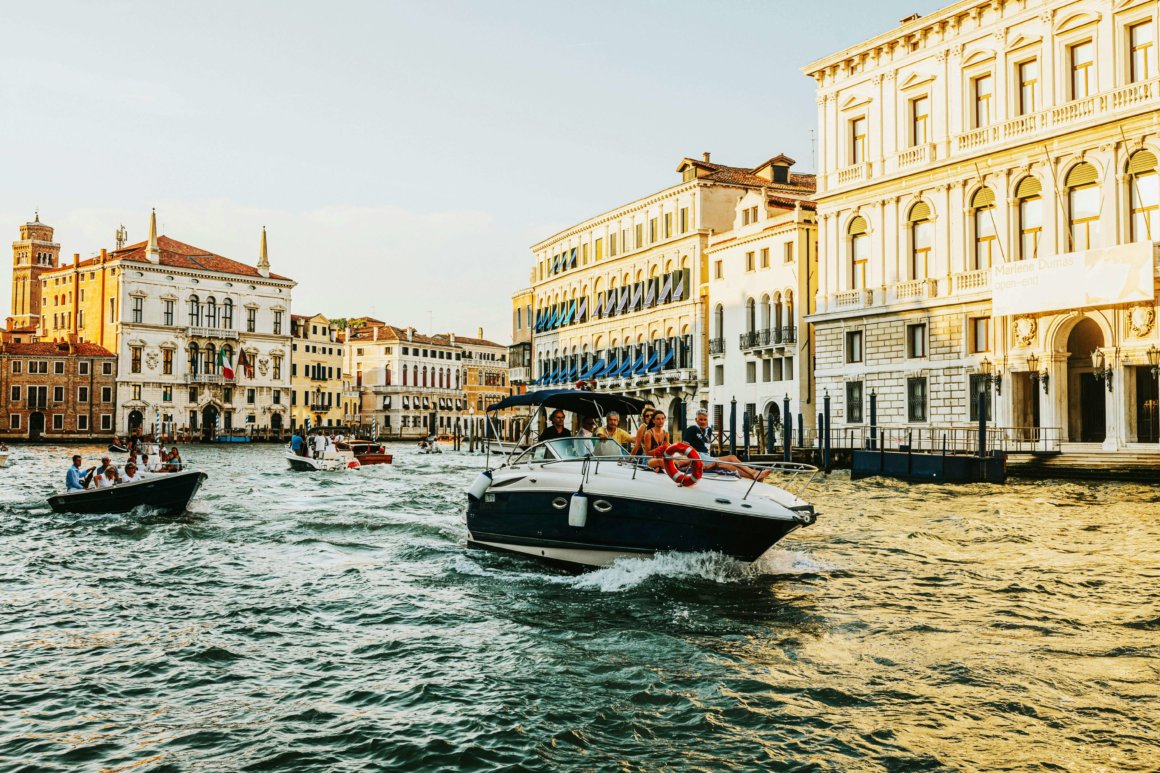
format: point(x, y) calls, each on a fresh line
point(763, 273)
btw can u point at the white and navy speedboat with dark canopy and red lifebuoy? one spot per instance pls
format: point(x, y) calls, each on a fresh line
point(584, 502)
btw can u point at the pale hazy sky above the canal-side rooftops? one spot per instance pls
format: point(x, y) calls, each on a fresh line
point(404, 156)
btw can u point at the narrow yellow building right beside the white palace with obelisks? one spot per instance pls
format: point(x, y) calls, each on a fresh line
point(321, 393)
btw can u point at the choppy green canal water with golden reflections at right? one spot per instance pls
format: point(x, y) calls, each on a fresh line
point(338, 622)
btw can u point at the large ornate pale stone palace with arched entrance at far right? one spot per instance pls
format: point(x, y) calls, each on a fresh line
point(989, 201)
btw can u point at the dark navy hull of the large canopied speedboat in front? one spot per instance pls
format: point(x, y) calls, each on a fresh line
point(534, 524)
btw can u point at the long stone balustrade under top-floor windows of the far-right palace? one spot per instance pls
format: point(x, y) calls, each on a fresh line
point(1127, 99)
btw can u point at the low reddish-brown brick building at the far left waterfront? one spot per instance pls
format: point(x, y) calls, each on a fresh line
point(57, 392)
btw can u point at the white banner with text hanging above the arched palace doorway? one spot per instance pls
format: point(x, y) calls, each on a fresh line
point(1094, 278)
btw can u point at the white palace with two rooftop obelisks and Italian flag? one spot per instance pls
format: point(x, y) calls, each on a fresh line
point(176, 315)
